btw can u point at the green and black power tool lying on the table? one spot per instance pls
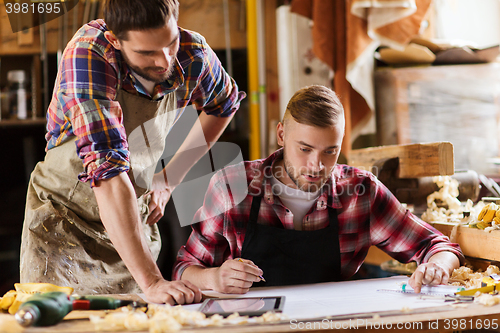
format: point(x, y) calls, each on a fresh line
point(50, 308)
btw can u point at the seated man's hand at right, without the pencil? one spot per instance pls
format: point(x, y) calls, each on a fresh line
point(436, 271)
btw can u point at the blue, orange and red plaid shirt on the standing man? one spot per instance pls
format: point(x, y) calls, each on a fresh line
point(90, 74)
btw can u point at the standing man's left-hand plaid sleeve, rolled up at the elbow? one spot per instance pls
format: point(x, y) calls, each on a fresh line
point(83, 105)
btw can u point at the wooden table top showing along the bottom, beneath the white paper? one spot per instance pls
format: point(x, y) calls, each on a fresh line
point(442, 319)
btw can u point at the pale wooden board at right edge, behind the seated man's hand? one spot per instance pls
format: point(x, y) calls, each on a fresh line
point(475, 243)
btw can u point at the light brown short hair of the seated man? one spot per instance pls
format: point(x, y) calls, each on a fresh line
point(315, 105)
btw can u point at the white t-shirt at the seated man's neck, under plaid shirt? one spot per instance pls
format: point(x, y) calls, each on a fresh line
point(299, 202)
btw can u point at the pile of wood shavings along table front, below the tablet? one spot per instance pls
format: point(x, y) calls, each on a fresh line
point(166, 318)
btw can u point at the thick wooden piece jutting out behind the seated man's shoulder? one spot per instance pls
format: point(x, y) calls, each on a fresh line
point(415, 160)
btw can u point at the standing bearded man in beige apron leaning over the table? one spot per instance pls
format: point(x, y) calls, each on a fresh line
point(92, 204)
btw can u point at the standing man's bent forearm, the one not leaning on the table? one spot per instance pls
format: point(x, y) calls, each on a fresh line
point(191, 151)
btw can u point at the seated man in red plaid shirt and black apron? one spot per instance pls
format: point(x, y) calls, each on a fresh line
point(317, 218)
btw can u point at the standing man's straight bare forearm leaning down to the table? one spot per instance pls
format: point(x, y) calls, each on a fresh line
point(120, 216)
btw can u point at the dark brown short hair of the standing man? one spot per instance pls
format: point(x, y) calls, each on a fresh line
point(122, 16)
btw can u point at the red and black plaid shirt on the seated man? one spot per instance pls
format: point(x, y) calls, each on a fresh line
point(368, 215)
